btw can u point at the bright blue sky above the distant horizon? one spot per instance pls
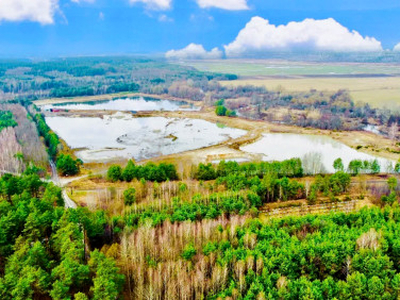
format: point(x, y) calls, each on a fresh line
point(95, 27)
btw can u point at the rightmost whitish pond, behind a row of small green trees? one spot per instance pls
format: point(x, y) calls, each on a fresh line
point(317, 152)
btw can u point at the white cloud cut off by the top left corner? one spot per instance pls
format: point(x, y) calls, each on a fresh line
point(41, 11)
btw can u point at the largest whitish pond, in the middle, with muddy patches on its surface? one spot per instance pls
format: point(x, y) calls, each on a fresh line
point(123, 136)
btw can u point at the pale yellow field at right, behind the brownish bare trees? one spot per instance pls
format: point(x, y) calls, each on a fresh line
point(377, 91)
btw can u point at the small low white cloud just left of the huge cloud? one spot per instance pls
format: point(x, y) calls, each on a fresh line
point(194, 51)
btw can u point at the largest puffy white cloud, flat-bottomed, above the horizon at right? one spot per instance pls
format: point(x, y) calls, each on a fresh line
point(318, 35)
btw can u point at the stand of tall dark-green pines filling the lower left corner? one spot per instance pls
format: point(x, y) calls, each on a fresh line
point(46, 251)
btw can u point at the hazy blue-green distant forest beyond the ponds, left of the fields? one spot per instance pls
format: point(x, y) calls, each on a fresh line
point(74, 77)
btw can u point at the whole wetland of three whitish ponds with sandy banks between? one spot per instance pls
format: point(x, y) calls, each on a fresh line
point(176, 127)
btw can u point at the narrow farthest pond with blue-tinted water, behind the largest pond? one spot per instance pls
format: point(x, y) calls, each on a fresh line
point(126, 104)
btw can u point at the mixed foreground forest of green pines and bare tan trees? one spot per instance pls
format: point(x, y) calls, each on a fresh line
point(211, 245)
